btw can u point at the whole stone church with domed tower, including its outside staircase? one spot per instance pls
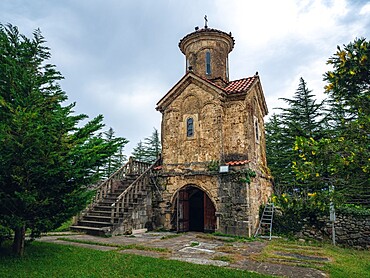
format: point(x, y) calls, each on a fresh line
point(212, 174)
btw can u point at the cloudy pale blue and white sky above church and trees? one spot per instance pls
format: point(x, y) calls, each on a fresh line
point(120, 57)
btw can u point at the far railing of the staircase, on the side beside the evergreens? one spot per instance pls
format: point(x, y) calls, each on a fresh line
point(132, 167)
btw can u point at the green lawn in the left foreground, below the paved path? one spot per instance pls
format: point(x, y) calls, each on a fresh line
point(53, 260)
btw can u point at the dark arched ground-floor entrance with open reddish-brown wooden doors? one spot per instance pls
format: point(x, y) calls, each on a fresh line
point(194, 211)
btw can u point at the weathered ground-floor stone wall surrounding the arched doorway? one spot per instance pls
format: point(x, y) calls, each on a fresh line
point(236, 202)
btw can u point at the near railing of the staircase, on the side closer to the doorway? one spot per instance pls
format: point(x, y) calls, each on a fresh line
point(139, 186)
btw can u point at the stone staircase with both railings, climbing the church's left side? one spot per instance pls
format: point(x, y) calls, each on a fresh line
point(121, 204)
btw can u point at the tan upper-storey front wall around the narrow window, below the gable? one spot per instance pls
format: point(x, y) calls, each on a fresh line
point(205, 145)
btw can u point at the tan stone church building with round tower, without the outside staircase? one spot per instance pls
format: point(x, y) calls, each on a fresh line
point(207, 122)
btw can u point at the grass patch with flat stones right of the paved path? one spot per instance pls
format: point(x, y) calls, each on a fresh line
point(338, 262)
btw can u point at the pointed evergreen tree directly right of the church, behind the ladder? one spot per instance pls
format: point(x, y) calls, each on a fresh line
point(302, 118)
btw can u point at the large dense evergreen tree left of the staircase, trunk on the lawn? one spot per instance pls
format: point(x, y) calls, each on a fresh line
point(46, 159)
